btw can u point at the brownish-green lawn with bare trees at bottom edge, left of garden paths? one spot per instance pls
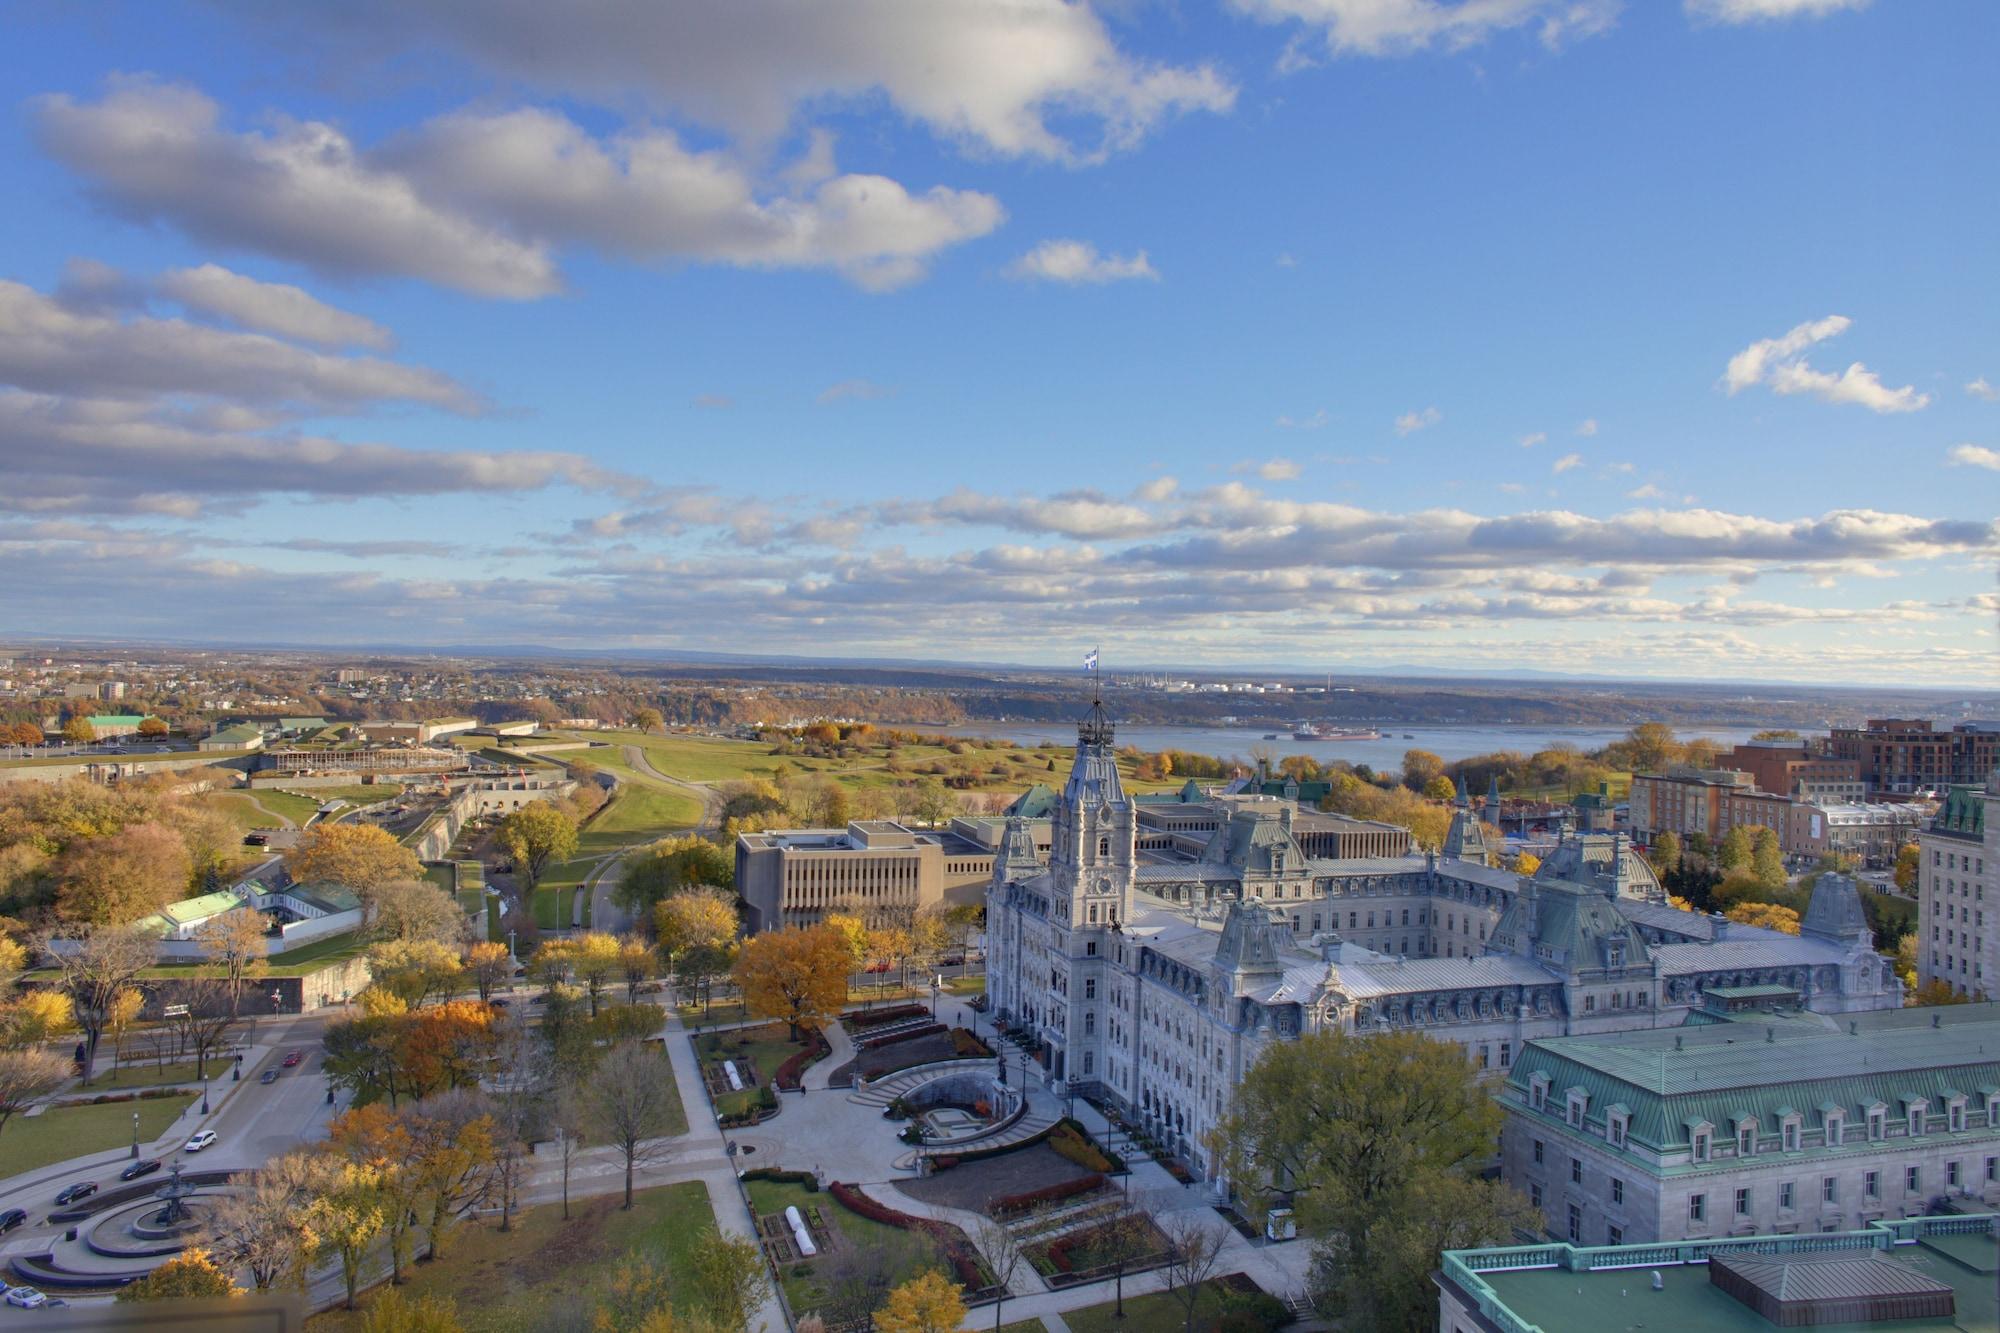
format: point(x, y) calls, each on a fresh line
point(521, 1280)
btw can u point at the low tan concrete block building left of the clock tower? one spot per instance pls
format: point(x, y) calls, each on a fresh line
point(873, 868)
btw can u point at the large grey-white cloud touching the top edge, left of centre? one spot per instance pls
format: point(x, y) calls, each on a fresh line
point(1019, 79)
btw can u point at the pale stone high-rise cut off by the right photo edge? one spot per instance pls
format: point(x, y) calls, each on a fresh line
point(1963, 840)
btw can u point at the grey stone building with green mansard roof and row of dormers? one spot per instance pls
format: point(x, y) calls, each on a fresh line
point(1761, 1120)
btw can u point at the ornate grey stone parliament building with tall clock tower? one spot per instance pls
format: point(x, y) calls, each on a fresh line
point(1153, 978)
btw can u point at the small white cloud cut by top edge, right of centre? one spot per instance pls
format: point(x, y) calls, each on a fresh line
point(1403, 27)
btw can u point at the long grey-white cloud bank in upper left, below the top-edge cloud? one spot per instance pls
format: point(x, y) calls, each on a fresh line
point(481, 201)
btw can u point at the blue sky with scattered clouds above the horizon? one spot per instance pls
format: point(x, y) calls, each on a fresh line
point(1643, 339)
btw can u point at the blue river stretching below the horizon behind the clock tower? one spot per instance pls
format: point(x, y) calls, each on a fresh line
point(1385, 754)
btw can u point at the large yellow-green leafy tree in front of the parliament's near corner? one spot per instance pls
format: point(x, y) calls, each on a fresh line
point(1369, 1134)
